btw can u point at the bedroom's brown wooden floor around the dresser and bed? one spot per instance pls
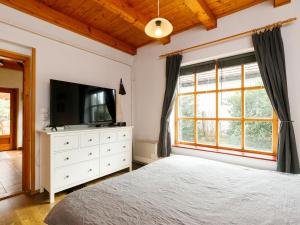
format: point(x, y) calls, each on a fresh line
point(31, 210)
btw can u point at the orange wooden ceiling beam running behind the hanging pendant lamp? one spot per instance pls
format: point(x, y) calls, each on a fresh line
point(129, 14)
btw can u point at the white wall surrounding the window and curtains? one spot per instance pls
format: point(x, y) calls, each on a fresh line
point(149, 70)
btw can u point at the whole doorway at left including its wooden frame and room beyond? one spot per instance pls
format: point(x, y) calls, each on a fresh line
point(17, 123)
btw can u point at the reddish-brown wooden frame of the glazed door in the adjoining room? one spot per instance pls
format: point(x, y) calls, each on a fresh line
point(14, 106)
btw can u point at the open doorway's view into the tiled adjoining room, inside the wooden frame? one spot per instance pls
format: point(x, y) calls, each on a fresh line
point(11, 127)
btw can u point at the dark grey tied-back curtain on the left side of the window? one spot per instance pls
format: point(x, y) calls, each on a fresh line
point(172, 74)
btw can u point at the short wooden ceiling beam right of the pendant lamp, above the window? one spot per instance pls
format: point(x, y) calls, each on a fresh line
point(203, 12)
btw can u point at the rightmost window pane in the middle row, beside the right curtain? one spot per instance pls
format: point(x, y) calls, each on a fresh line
point(257, 104)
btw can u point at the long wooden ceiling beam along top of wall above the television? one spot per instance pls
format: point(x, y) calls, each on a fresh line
point(40, 10)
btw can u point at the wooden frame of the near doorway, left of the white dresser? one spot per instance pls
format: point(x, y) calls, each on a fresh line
point(29, 98)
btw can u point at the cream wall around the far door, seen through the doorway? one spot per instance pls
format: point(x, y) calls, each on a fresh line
point(14, 79)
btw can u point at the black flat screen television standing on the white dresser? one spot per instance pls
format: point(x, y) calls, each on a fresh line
point(78, 104)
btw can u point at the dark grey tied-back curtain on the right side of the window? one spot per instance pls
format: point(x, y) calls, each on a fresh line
point(269, 53)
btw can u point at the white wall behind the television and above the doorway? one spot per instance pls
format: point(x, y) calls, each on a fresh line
point(63, 55)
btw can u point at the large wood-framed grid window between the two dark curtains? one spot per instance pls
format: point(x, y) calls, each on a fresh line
point(223, 104)
